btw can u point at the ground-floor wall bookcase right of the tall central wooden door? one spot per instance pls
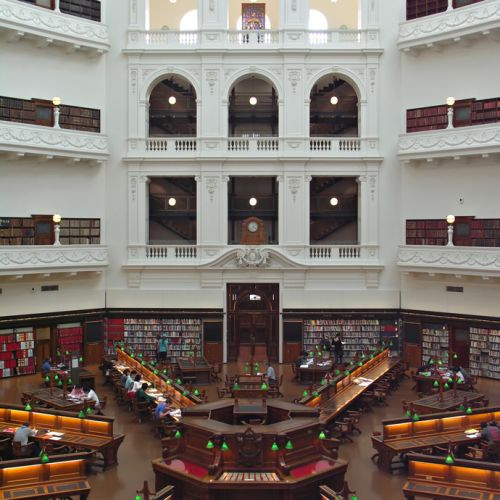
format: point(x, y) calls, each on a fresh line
point(357, 334)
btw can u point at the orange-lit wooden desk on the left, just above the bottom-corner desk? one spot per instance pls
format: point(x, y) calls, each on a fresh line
point(90, 433)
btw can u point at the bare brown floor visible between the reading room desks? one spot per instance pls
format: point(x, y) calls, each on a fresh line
point(140, 446)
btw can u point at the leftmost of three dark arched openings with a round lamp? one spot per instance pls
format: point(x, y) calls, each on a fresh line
point(172, 108)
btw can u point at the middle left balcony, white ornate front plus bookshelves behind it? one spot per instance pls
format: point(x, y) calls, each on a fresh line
point(38, 128)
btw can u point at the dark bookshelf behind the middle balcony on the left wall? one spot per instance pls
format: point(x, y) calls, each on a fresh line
point(40, 112)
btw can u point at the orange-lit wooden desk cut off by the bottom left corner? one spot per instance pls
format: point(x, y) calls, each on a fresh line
point(28, 479)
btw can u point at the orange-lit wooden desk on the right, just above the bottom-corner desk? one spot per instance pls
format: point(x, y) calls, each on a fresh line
point(401, 436)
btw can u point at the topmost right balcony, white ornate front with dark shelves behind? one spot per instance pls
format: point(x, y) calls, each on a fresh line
point(448, 22)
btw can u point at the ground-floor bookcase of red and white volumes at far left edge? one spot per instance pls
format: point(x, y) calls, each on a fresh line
point(17, 351)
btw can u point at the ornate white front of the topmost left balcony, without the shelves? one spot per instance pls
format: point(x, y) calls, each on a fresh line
point(24, 19)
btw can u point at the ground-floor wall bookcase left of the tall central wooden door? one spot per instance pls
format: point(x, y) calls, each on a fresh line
point(182, 334)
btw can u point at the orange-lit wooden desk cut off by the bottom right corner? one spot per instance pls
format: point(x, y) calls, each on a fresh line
point(430, 477)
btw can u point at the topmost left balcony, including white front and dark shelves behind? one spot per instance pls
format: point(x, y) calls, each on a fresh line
point(60, 24)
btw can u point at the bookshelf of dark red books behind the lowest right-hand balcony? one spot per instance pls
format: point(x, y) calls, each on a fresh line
point(480, 232)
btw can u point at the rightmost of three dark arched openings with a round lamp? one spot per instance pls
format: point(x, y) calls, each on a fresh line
point(333, 108)
